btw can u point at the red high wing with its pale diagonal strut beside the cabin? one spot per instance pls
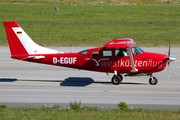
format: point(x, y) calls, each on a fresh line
point(127, 43)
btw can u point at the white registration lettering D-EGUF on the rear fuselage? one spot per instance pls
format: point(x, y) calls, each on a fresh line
point(65, 60)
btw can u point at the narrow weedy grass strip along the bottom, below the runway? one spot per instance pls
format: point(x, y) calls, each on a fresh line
point(86, 113)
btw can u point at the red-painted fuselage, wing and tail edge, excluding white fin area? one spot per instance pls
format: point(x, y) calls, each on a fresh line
point(92, 59)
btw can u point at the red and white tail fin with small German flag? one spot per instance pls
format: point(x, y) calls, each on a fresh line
point(21, 44)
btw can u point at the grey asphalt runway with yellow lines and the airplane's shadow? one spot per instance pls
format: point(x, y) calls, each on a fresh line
point(32, 84)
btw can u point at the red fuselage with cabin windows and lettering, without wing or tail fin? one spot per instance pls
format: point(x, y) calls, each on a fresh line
point(102, 59)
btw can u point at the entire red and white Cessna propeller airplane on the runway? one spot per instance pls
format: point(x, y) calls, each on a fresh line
point(119, 56)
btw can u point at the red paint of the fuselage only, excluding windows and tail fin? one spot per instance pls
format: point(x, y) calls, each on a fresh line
point(144, 62)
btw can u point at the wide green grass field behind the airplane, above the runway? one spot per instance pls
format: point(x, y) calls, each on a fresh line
point(83, 23)
